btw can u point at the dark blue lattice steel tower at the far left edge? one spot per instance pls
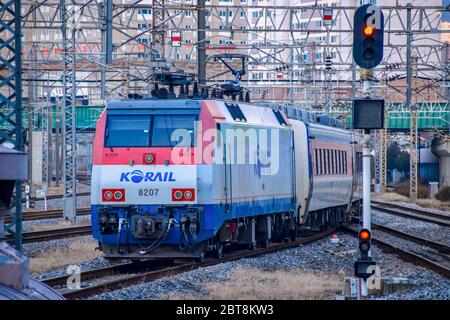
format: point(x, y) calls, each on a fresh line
point(11, 131)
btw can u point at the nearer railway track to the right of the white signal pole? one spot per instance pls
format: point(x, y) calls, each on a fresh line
point(421, 256)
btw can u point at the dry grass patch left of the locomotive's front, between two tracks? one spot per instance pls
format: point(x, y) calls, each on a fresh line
point(77, 251)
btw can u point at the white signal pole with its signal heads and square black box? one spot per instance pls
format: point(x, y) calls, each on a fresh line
point(368, 113)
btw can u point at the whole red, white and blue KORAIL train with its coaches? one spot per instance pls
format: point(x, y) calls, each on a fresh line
point(178, 177)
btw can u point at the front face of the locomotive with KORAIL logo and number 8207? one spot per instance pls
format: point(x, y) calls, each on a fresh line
point(144, 196)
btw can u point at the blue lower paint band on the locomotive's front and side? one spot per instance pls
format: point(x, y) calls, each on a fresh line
point(211, 218)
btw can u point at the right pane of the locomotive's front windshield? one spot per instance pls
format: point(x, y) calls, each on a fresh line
point(166, 131)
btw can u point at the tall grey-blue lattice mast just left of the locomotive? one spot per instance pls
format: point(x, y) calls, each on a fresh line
point(69, 18)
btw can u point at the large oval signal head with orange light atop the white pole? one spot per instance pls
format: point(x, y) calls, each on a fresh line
point(368, 34)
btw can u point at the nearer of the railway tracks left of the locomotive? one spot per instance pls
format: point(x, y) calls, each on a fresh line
point(52, 234)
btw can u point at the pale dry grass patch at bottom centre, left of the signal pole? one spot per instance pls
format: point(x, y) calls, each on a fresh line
point(253, 284)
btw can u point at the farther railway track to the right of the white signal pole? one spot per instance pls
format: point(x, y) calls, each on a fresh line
point(413, 213)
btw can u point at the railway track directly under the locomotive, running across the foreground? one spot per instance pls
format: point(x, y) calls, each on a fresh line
point(152, 274)
